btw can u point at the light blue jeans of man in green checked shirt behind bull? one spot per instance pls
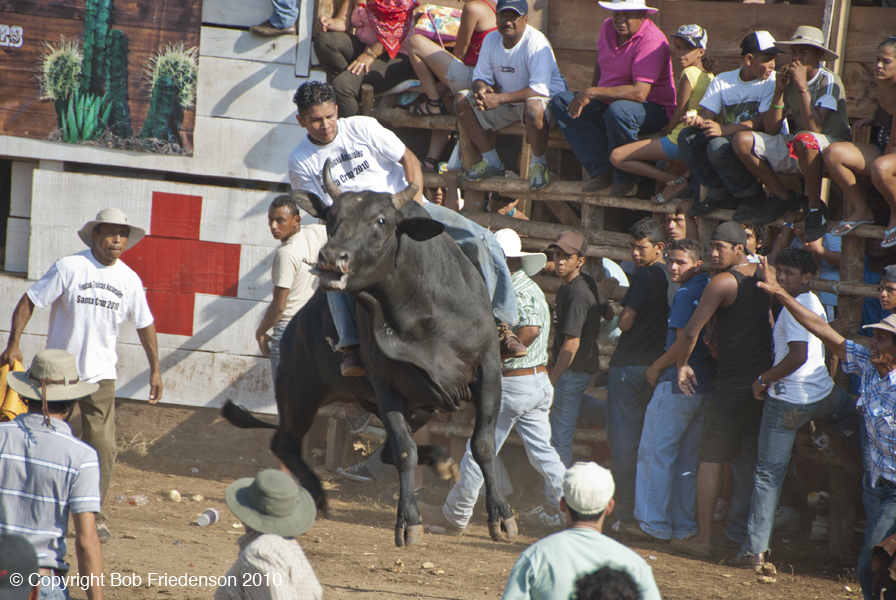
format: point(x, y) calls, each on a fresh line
point(525, 404)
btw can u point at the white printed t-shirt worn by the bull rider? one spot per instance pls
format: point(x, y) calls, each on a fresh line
point(363, 157)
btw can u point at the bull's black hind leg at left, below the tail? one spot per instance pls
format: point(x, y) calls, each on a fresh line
point(297, 404)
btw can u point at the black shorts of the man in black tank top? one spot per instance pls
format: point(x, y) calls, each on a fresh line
point(730, 426)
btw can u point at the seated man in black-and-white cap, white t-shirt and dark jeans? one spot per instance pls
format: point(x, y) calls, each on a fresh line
point(734, 102)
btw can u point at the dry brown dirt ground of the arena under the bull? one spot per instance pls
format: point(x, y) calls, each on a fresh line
point(193, 452)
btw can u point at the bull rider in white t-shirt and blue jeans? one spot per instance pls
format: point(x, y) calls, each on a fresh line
point(365, 156)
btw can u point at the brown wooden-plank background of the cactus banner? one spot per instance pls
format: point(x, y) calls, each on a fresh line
point(148, 26)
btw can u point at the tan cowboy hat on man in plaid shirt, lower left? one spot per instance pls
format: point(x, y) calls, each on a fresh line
point(57, 370)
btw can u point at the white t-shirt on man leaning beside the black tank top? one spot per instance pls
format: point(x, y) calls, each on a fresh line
point(811, 382)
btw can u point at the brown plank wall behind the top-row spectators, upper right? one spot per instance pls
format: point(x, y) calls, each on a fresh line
point(573, 26)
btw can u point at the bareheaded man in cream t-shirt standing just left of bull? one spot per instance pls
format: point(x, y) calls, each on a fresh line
point(293, 282)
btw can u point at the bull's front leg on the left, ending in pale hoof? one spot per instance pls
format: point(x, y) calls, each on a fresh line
point(393, 408)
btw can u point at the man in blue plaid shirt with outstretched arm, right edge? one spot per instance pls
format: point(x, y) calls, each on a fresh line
point(876, 367)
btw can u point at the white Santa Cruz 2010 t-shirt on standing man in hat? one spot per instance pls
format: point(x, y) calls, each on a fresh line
point(88, 301)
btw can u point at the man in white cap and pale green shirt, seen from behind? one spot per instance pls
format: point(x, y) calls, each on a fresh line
point(549, 568)
